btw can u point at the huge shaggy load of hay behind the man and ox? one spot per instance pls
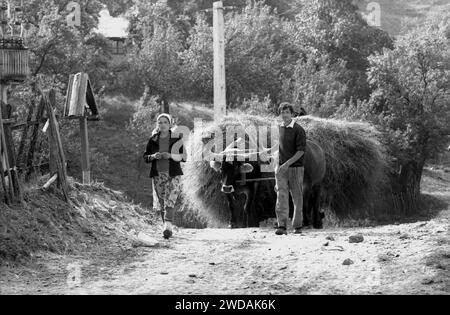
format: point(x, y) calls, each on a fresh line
point(356, 181)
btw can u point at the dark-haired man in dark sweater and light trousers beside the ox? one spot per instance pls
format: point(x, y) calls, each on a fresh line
point(290, 170)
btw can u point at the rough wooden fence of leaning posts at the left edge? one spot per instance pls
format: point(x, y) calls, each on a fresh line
point(19, 161)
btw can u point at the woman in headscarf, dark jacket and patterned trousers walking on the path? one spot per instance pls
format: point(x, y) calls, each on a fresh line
point(165, 152)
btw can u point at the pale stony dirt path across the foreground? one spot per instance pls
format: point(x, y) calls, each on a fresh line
point(408, 258)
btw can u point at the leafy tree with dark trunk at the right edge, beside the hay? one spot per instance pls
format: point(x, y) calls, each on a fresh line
point(411, 98)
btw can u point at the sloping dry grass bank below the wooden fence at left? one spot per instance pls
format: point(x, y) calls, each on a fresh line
point(97, 217)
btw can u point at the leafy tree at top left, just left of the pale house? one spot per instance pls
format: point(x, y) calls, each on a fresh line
point(57, 50)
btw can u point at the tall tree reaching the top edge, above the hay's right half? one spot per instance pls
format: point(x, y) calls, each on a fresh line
point(334, 28)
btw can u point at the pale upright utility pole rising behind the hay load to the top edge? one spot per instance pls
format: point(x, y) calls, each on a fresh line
point(220, 102)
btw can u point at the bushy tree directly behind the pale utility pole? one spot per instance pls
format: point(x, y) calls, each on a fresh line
point(258, 54)
